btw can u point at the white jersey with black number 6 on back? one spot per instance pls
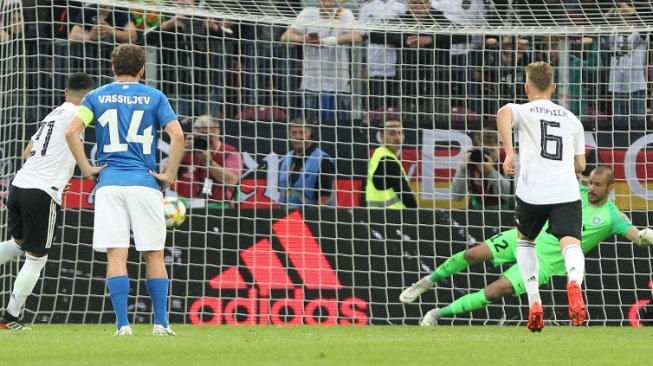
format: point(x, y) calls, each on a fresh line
point(550, 137)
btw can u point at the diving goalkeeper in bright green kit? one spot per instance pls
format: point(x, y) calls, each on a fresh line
point(601, 219)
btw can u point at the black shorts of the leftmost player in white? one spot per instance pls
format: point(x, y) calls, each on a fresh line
point(32, 218)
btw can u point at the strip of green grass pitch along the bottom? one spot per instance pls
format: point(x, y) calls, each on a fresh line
point(330, 345)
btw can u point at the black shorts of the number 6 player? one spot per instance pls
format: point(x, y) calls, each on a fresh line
point(565, 219)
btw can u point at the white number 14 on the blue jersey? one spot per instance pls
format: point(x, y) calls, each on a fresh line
point(110, 117)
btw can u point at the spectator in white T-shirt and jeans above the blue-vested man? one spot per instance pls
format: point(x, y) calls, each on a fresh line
point(326, 79)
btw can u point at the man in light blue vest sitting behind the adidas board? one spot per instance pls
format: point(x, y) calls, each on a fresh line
point(306, 173)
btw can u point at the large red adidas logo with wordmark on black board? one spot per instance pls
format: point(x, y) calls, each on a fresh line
point(270, 279)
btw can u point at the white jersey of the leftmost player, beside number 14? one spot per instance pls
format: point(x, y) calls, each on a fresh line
point(51, 164)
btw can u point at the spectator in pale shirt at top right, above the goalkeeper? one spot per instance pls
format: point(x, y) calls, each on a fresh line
point(628, 64)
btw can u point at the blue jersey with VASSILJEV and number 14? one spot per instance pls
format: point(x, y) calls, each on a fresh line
point(129, 116)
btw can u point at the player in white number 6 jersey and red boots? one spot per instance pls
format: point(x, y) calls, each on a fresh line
point(551, 152)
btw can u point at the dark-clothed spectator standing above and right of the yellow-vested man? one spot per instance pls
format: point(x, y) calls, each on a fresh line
point(425, 57)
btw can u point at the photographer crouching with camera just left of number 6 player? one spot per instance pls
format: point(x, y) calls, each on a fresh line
point(479, 178)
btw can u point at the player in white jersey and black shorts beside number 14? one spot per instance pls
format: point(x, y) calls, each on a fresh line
point(35, 198)
